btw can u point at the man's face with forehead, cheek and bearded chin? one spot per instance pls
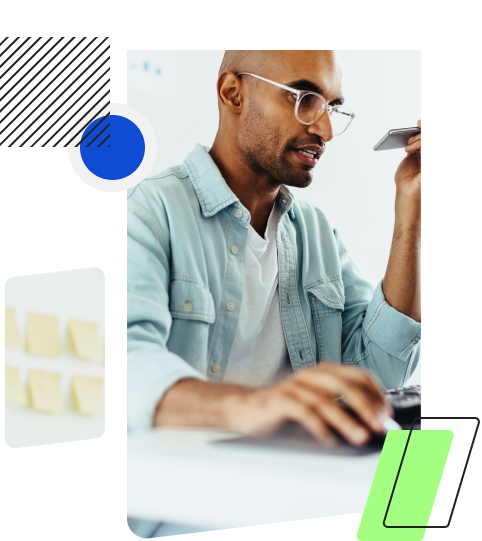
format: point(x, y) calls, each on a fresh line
point(270, 136)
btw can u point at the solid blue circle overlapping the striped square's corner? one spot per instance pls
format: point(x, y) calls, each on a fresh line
point(112, 151)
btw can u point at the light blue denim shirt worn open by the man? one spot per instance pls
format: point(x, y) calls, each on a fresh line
point(185, 288)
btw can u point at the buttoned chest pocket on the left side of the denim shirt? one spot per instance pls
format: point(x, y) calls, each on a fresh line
point(190, 299)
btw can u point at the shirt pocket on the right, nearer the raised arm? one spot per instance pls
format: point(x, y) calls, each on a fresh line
point(327, 301)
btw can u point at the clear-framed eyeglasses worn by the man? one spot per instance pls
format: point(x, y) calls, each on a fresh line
point(310, 106)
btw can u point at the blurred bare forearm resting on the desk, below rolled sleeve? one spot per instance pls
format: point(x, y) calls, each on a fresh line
point(195, 403)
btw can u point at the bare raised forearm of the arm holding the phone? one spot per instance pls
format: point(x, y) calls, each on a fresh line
point(401, 285)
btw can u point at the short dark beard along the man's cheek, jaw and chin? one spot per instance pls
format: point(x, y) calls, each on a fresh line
point(265, 153)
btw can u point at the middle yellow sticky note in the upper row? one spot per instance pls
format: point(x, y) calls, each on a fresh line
point(42, 335)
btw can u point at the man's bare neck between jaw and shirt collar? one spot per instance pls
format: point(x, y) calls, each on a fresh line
point(256, 191)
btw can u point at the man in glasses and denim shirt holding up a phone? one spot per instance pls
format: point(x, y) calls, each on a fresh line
point(244, 308)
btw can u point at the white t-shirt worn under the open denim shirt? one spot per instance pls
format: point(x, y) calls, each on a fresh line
point(259, 355)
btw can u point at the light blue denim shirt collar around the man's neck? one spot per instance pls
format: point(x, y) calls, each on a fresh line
point(212, 190)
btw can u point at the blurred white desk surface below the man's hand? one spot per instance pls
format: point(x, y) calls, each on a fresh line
point(180, 476)
